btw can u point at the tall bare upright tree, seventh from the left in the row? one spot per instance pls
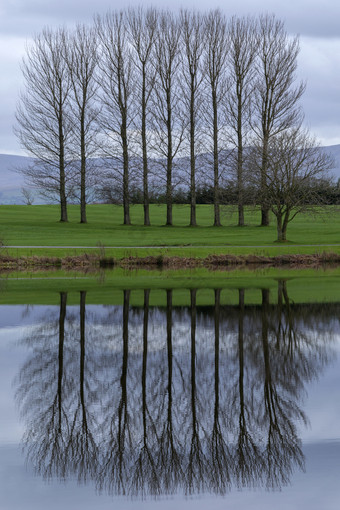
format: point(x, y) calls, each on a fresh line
point(215, 61)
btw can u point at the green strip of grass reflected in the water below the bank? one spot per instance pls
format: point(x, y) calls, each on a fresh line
point(304, 286)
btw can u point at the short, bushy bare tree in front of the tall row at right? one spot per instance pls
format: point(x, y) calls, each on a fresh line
point(295, 165)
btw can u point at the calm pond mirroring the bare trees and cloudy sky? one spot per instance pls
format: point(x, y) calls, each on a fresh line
point(198, 397)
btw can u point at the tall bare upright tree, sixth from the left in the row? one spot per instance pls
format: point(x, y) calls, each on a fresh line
point(193, 44)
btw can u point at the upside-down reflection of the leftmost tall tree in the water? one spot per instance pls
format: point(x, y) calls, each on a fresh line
point(43, 395)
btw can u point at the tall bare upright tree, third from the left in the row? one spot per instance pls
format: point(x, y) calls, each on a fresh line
point(117, 85)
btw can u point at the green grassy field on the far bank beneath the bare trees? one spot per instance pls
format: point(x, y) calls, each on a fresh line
point(38, 225)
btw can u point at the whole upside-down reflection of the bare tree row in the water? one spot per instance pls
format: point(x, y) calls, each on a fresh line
point(154, 401)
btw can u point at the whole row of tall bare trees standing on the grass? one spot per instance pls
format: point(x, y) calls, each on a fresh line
point(122, 103)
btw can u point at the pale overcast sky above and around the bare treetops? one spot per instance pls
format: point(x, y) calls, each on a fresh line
point(316, 21)
